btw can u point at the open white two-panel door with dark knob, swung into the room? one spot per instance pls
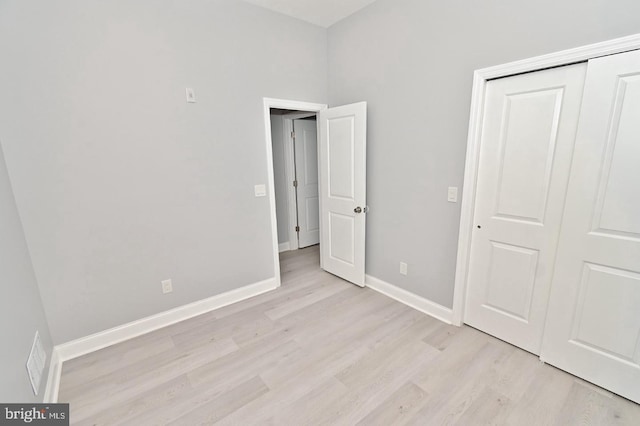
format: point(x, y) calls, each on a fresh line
point(343, 190)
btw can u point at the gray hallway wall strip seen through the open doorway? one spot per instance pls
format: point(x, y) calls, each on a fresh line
point(280, 180)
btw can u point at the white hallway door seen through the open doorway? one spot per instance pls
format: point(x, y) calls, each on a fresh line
point(306, 160)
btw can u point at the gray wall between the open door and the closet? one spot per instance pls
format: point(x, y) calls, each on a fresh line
point(412, 61)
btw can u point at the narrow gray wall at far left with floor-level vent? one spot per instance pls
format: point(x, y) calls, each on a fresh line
point(21, 311)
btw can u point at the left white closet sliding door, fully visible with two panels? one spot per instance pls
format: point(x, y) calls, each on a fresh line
point(527, 143)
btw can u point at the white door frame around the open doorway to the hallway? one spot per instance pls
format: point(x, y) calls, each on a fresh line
point(269, 103)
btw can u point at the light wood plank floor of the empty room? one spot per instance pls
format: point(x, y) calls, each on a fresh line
point(321, 351)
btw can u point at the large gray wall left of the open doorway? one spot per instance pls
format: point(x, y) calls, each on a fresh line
point(120, 183)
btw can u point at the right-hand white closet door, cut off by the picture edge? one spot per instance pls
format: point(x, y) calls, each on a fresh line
point(593, 323)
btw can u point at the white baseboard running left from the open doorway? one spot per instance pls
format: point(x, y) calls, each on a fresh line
point(102, 339)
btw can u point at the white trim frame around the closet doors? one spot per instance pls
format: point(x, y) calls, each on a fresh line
point(480, 79)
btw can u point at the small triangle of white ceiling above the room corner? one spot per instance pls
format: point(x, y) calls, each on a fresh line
point(320, 12)
